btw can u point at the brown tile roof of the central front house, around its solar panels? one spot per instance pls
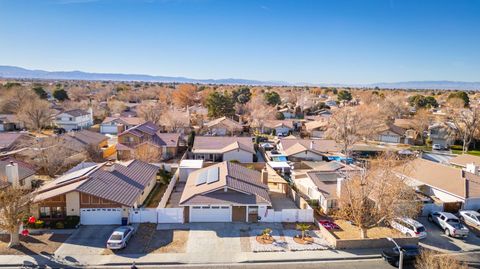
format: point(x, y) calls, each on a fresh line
point(244, 186)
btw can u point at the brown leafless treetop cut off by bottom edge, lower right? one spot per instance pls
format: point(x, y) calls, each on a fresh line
point(429, 259)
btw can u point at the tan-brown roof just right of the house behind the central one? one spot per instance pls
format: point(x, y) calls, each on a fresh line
point(294, 146)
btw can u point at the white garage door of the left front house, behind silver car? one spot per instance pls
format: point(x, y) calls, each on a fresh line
point(100, 216)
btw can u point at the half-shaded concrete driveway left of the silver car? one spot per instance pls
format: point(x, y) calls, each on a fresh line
point(87, 240)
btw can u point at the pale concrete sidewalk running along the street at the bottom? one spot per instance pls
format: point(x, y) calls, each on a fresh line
point(184, 258)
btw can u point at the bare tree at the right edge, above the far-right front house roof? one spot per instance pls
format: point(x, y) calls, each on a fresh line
point(466, 122)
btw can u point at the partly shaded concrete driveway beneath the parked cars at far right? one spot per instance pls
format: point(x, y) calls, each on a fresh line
point(437, 240)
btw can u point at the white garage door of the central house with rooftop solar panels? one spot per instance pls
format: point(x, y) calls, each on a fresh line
point(210, 214)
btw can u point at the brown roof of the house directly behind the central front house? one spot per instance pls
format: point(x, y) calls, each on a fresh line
point(221, 144)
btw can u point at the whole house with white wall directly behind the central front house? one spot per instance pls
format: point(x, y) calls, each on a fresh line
point(223, 148)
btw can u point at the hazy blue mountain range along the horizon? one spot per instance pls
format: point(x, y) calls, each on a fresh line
point(22, 73)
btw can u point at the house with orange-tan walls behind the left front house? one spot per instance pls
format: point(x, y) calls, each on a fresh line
point(147, 142)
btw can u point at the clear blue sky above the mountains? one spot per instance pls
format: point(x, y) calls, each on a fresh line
point(337, 41)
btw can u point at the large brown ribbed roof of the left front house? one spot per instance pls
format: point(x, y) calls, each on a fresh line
point(121, 183)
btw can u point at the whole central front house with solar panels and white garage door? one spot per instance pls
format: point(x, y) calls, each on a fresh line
point(224, 192)
